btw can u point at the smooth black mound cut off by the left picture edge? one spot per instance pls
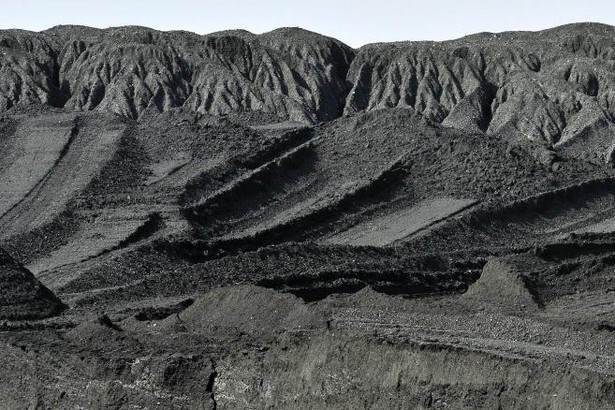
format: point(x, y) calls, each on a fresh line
point(22, 296)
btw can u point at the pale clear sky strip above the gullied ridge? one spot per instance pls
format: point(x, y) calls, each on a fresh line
point(354, 22)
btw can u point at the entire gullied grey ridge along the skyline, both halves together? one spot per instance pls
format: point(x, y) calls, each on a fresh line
point(553, 86)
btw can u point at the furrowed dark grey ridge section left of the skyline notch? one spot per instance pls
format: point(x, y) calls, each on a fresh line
point(288, 73)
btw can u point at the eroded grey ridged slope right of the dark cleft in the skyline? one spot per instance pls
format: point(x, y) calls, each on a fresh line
point(549, 86)
